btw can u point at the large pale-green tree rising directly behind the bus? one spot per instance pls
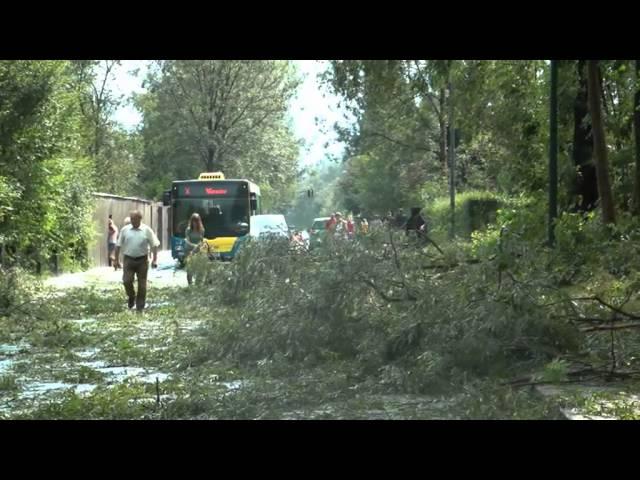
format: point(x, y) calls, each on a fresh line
point(218, 115)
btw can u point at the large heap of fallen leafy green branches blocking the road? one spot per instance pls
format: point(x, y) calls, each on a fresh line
point(350, 301)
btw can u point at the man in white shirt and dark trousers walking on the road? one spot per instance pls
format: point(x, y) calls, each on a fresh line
point(135, 240)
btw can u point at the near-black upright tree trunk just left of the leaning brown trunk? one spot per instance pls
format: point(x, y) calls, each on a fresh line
point(585, 187)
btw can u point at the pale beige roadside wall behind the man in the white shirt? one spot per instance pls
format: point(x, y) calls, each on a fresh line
point(154, 214)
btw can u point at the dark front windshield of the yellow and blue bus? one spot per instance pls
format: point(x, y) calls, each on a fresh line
point(220, 216)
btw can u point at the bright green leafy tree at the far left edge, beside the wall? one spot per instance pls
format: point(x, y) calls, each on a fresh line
point(41, 161)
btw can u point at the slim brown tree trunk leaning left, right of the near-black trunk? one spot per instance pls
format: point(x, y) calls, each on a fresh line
point(599, 144)
